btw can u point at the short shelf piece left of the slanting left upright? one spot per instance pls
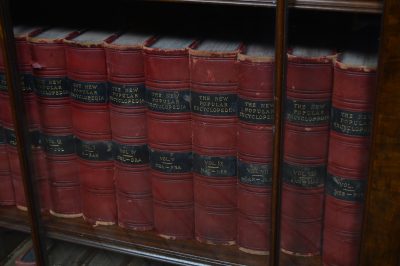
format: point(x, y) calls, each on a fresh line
point(14, 219)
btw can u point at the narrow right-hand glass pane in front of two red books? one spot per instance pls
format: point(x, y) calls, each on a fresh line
point(331, 81)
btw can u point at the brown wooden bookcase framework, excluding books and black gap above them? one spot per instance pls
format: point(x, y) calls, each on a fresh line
point(381, 227)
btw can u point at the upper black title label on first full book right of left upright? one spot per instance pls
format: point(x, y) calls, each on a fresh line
point(52, 87)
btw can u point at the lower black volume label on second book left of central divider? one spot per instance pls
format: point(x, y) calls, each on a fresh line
point(214, 166)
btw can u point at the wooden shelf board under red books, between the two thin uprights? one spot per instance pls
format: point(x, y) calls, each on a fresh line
point(147, 244)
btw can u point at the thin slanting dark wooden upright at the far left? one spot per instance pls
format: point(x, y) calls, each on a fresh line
point(21, 131)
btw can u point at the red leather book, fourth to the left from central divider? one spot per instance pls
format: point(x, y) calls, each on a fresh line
point(129, 132)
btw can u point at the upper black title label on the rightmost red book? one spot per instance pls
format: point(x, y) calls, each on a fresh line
point(351, 123)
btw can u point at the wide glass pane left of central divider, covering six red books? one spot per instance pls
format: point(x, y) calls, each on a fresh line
point(156, 141)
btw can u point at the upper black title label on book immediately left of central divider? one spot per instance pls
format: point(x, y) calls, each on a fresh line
point(260, 112)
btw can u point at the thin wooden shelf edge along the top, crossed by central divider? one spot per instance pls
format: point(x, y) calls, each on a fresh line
point(361, 6)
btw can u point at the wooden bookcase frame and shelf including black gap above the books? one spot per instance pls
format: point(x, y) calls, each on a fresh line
point(278, 21)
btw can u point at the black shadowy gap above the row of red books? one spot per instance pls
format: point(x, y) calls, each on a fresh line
point(339, 30)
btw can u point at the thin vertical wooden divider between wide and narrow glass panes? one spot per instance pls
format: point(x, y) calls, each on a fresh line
point(279, 85)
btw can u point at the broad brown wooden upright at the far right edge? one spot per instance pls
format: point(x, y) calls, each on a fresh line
point(380, 243)
